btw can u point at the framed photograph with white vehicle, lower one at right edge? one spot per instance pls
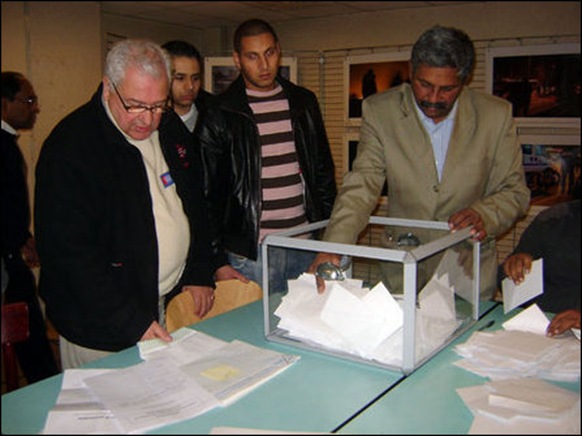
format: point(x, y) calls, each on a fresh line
point(552, 167)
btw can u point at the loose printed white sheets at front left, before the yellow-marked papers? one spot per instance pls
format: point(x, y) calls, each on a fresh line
point(129, 400)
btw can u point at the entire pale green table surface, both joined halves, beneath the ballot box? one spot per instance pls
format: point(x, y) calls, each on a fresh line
point(320, 393)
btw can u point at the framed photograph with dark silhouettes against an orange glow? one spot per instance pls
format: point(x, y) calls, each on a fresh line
point(368, 74)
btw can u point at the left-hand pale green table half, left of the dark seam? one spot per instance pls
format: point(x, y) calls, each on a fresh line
point(316, 394)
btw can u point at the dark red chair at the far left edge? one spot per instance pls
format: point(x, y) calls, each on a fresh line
point(15, 329)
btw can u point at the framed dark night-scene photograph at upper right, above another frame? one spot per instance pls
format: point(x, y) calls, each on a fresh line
point(542, 82)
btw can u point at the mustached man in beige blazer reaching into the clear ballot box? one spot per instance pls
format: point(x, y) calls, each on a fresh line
point(448, 153)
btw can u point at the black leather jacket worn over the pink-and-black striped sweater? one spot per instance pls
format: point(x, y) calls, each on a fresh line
point(231, 153)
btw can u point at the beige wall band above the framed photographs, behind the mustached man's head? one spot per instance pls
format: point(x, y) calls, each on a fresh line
point(481, 20)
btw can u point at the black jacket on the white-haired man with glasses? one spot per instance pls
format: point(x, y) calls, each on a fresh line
point(95, 227)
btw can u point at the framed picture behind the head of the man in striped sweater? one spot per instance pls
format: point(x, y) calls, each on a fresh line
point(220, 72)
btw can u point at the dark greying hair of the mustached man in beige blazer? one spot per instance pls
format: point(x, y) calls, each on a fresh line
point(444, 47)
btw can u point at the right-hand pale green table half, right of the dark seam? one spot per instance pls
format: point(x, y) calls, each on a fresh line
point(425, 402)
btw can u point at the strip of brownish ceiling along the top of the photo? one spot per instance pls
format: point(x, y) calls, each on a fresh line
point(204, 15)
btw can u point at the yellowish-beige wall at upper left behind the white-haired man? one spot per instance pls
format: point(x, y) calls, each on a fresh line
point(61, 47)
